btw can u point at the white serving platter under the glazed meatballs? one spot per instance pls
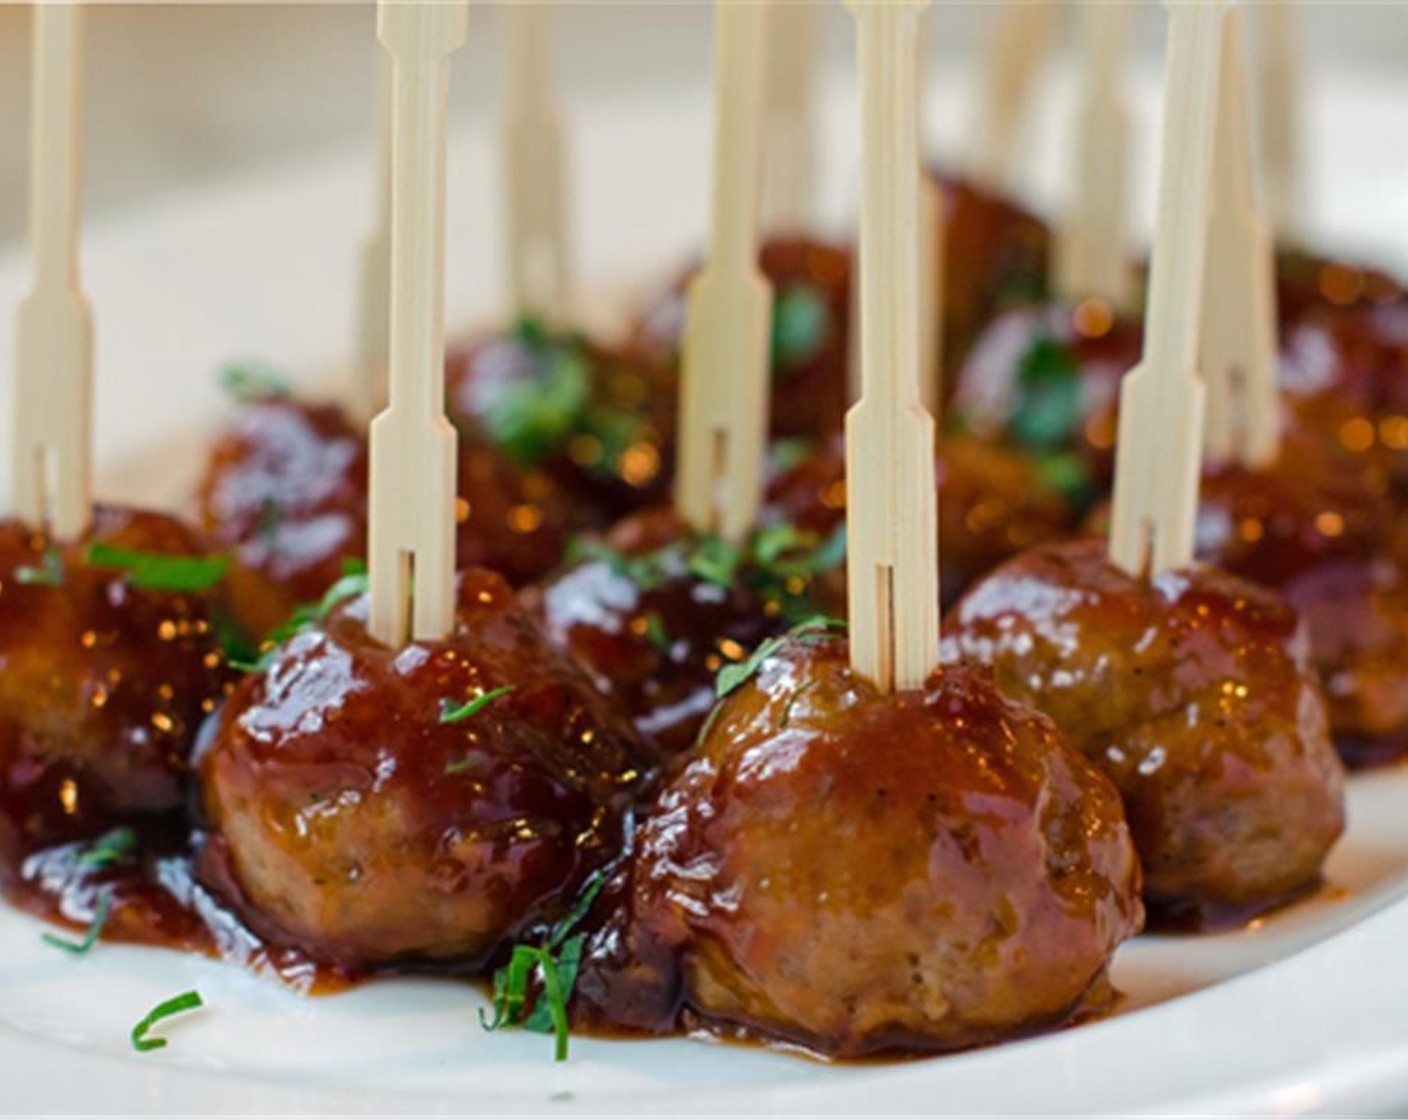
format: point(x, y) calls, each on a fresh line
point(1305, 1012)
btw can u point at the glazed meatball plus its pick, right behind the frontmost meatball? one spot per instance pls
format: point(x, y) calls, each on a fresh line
point(1192, 690)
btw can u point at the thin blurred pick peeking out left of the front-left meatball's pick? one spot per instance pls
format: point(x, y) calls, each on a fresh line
point(375, 267)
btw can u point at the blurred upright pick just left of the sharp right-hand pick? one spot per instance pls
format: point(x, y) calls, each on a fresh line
point(1090, 247)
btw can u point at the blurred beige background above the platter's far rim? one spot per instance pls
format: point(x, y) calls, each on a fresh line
point(180, 95)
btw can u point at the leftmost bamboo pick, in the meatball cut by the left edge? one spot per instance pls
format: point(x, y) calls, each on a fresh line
point(54, 342)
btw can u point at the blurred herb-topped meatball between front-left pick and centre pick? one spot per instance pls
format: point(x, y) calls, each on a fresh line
point(599, 423)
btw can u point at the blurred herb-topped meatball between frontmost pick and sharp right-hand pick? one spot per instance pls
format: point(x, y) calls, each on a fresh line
point(1048, 381)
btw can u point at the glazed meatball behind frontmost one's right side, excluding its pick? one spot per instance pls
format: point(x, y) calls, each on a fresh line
point(1195, 692)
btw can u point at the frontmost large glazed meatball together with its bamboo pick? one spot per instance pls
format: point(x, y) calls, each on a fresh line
point(884, 936)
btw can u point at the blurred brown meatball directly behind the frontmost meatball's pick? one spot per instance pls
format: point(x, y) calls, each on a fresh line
point(995, 501)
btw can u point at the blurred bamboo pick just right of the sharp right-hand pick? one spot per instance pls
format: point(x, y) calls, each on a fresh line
point(1238, 357)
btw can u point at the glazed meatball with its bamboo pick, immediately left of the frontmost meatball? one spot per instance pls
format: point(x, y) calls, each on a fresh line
point(426, 784)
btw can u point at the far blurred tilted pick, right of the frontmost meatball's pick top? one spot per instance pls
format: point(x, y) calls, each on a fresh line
point(1022, 42)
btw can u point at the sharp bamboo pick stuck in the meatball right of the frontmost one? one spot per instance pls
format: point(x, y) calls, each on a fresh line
point(1161, 401)
